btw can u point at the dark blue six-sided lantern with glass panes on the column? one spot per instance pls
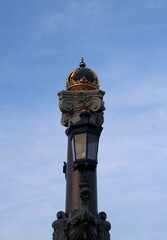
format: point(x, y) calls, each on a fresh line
point(84, 136)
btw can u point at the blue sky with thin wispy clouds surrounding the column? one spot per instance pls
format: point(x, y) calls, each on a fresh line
point(125, 43)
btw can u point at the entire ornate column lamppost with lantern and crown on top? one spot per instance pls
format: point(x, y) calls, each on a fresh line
point(82, 109)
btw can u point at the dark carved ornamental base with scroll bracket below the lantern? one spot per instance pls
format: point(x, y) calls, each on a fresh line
point(82, 224)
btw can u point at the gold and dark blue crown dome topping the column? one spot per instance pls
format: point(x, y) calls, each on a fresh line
point(82, 78)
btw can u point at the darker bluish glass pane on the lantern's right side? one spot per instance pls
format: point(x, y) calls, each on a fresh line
point(92, 146)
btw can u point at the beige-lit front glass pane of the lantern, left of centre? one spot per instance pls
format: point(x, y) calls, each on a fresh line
point(80, 145)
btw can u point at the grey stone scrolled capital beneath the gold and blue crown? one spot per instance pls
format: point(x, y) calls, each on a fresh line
point(71, 103)
